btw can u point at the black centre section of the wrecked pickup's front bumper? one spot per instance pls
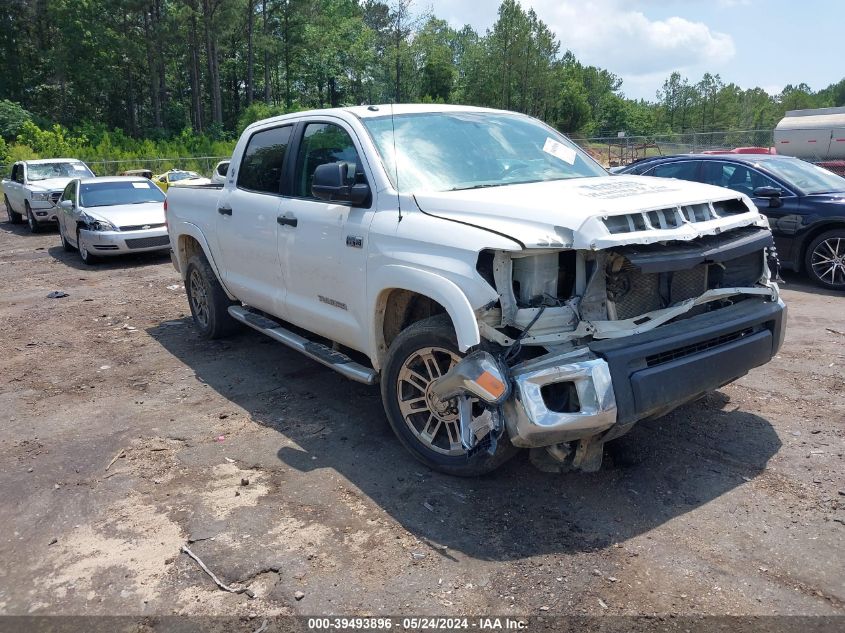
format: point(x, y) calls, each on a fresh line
point(675, 363)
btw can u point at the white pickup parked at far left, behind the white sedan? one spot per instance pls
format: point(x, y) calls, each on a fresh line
point(35, 186)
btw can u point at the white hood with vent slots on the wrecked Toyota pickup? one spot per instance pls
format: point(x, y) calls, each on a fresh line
point(571, 213)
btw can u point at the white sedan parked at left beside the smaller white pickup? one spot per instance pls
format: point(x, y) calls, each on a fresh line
point(112, 216)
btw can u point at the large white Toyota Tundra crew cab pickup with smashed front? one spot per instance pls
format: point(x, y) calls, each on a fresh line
point(502, 288)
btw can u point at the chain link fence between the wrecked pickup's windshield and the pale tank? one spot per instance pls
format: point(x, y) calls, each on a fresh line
point(613, 151)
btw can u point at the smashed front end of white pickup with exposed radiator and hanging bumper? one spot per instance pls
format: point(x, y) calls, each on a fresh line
point(622, 319)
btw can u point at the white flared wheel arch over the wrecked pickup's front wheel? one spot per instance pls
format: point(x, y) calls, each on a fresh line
point(434, 286)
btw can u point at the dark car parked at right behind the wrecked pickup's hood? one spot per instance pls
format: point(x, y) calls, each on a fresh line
point(805, 204)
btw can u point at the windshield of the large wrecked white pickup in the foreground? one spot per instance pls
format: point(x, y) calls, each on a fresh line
point(448, 151)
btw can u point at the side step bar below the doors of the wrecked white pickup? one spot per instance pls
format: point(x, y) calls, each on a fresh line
point(338, 361)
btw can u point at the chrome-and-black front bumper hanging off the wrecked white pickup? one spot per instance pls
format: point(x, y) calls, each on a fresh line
point(620, 381)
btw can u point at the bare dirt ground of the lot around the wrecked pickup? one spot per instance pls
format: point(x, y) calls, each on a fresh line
point(285, 477)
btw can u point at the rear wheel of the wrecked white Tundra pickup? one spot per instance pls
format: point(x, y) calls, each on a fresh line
point(207, 299)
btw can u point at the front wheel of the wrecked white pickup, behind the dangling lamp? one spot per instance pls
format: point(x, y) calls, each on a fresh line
point(427, 427)
